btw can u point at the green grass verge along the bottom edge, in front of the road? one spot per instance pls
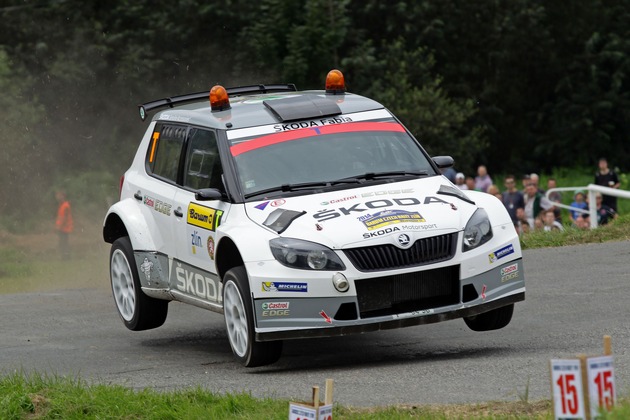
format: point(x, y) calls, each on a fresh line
point(54, 397)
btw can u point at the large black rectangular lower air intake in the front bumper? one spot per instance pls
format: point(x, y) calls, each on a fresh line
point(408, 292)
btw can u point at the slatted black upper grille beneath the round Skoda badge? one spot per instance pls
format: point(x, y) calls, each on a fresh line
point(388, 257)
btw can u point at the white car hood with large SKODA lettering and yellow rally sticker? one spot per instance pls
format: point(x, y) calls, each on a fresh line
point(368, 215)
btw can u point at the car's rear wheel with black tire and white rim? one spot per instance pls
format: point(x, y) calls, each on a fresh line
point(137, 310)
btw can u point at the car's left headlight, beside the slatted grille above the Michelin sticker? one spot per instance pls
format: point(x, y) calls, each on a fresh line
point(305, 255)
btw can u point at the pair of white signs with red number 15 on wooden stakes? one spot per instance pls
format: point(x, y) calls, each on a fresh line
point(583, 387)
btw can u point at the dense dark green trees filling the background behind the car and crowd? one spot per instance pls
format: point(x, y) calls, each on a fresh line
point(520, 85)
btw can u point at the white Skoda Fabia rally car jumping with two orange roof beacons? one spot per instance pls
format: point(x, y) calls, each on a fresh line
point(302, 214)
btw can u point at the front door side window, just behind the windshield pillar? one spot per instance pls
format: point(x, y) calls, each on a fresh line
point(203, 165)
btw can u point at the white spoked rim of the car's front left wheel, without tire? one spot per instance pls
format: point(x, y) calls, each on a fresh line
point(235, 318)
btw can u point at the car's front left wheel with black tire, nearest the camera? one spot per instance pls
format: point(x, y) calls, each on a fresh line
point(239, 322)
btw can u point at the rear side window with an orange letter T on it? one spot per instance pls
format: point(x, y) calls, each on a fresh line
point(165, 151)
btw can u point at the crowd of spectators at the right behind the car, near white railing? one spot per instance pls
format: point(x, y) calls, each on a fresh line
point(530, 208)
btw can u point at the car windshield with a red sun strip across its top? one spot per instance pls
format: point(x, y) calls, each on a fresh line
point(327, 154)
